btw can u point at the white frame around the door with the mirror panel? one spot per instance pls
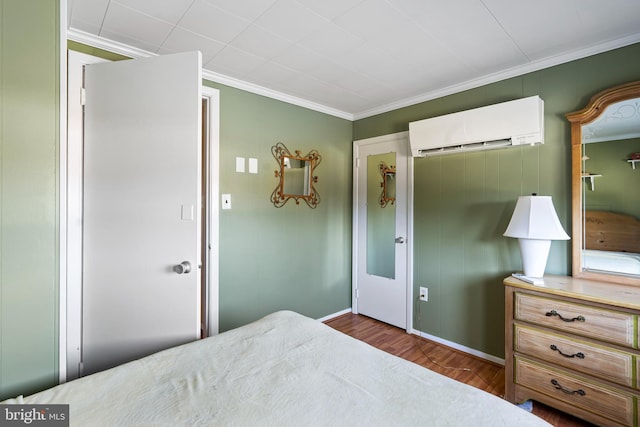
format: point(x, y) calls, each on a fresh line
point(403, 137)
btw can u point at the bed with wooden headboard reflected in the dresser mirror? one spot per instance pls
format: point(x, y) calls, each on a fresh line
point(612, 242)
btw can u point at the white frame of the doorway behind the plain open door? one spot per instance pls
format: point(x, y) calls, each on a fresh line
point(70, 332)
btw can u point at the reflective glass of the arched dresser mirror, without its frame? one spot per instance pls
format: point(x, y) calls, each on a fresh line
point(611, 196)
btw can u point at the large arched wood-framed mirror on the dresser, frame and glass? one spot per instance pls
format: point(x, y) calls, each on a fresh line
point(605, 151)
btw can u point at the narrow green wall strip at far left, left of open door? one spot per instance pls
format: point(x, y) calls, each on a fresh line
point(29, 117)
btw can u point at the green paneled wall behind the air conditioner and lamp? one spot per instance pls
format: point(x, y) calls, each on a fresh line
point(463, 202)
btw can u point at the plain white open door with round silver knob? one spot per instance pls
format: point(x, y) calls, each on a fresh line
point(142, 168)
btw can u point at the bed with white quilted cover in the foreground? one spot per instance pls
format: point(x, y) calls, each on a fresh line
point(284, 369)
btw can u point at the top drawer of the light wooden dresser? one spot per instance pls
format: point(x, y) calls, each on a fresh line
point(607, 325)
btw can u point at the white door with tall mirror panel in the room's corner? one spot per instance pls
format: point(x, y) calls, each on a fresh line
point(381, 229)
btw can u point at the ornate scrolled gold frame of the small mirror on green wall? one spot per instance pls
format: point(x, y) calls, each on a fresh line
point(279, 198)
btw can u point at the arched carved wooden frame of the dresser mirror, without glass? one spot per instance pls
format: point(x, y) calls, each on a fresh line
point(595, 107)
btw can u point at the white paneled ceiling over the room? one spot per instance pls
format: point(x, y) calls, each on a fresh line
point(357, 58)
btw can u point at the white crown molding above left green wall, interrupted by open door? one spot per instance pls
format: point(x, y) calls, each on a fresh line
point(132, 52)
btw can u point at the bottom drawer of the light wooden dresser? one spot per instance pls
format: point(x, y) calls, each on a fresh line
point(608, 402)
